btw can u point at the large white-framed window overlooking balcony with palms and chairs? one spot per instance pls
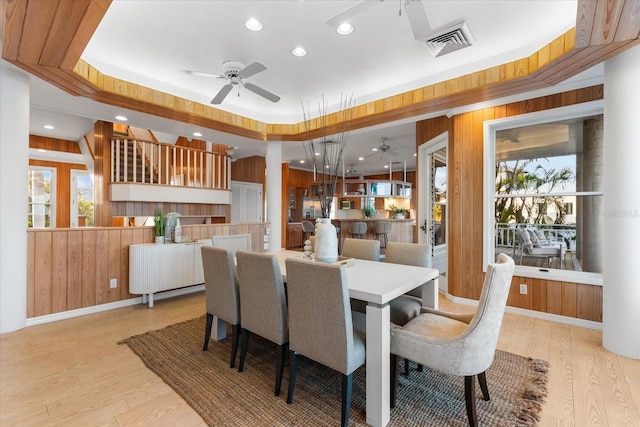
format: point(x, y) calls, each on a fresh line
point(543, 193)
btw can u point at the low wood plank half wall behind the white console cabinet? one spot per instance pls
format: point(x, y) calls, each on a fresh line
point(69, 269)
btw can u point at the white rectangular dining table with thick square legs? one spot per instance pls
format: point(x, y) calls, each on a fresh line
point(377, 283)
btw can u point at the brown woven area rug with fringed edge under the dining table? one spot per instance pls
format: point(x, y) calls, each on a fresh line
point(224, 397)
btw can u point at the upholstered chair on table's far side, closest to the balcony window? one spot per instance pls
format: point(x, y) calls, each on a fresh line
point(407, 306)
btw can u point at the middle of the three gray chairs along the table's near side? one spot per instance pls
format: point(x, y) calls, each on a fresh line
point(263, 305)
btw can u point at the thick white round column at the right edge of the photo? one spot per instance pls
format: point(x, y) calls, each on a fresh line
point(621, 278)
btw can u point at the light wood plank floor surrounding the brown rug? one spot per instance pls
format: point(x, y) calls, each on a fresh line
point(73, 372)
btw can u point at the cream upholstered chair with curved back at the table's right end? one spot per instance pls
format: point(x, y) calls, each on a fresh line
point(458, 344)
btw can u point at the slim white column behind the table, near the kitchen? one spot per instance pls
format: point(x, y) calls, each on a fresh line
point(274, 194)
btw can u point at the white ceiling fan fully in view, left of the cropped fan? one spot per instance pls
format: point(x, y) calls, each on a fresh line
point(235, 72)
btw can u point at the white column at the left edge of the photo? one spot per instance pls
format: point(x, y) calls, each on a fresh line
point(14, 166)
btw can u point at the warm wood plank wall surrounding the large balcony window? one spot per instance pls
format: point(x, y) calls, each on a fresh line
point(465, 275)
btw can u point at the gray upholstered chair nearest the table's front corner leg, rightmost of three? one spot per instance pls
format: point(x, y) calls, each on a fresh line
point(321, 324)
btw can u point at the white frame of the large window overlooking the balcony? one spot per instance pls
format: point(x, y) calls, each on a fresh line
point(490, 127)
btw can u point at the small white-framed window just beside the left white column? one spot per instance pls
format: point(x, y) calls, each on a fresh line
point(41, 189)
